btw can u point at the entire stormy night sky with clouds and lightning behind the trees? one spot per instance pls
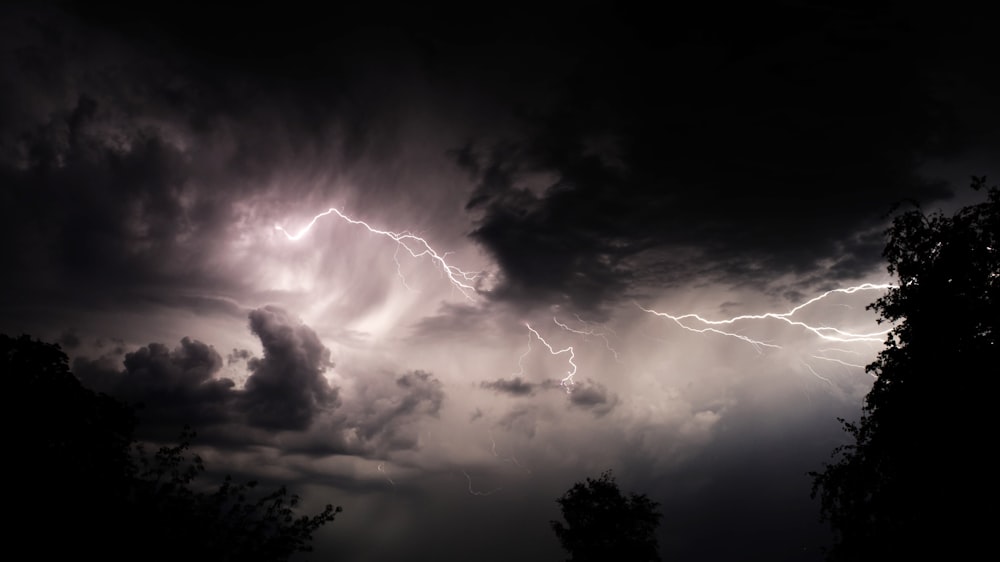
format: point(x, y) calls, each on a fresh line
point(515, 187)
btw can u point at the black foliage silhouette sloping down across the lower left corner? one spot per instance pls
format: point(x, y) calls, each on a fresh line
point(77, 456)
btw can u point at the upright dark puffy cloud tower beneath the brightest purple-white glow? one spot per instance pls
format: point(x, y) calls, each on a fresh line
point(286, 389)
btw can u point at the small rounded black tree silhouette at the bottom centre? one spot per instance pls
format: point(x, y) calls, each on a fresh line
point(603, 524)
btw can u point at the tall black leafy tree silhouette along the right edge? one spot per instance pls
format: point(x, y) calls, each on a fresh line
point(913, 478)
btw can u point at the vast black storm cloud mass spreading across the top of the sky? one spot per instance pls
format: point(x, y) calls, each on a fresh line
point(635, 151)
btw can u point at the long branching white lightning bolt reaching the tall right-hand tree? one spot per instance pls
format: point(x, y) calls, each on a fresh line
point(825, 332)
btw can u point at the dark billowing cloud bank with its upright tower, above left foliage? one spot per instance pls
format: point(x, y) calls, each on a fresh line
point(286, 388)
